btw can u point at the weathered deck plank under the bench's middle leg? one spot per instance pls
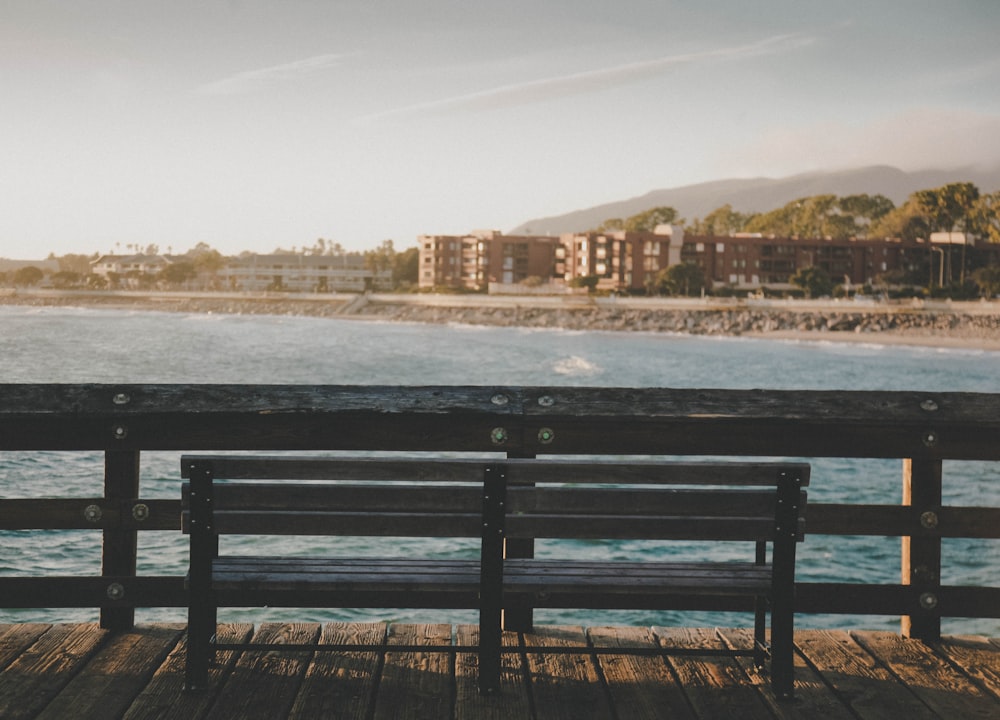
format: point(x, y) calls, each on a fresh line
point(511, 702)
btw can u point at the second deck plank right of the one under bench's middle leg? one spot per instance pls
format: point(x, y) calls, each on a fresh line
point(640, 686)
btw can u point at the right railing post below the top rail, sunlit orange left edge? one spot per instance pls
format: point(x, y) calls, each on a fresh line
point(921, 554)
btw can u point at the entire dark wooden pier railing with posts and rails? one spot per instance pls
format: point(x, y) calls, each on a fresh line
point(921, 429)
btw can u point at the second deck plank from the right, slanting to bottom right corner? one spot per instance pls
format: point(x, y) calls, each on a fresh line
point(948, 693)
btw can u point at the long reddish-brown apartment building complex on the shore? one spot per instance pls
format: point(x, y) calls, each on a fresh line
point(630, 261)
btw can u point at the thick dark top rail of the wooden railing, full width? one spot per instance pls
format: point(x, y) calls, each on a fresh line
point(512, 420)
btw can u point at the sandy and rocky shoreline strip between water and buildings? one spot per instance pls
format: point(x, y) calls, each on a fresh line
point(970, 326)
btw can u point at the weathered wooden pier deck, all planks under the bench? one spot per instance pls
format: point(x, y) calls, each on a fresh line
point(81, 671)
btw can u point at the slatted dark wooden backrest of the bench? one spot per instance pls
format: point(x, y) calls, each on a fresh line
point(538, 498)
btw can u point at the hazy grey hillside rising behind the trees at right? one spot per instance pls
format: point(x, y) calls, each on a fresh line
point(763, 194)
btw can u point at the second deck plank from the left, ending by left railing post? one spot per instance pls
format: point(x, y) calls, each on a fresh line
point(31, 681)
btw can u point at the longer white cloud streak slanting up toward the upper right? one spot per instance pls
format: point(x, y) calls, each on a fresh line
point(591, 81)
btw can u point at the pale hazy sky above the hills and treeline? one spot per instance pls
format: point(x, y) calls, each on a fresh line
point(251, 125)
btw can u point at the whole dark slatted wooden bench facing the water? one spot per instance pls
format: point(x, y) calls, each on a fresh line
point(493, 501)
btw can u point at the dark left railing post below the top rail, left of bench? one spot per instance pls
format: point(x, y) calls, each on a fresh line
point(118, 557)
